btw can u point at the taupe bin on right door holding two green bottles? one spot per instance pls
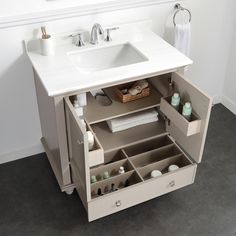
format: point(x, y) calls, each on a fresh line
point(187, 127)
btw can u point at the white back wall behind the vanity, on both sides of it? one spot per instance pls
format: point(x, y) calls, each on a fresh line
point(19, 121)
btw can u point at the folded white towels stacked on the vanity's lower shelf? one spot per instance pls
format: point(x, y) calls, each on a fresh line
point(129, 121)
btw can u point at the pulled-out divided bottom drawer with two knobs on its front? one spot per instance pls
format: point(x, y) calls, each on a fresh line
point(141, 186)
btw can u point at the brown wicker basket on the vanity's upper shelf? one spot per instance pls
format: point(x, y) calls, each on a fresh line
point(128, 97)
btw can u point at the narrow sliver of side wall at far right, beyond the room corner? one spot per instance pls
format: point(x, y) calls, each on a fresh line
point(229, 92)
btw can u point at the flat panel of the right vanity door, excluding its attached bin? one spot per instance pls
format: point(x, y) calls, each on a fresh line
point(201, 103)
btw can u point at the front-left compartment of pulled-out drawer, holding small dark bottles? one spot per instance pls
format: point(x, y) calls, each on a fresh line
point(114, 184)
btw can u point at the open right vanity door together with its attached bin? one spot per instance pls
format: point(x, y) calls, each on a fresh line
point(190, 136)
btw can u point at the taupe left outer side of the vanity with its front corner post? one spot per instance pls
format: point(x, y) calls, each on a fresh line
point(54, 135)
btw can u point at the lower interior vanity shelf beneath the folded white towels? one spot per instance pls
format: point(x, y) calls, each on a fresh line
point(111, 141)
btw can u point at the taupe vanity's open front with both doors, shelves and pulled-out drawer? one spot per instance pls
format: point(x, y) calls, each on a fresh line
point(170, 140)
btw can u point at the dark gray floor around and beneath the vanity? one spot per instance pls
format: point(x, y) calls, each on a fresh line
point(32, 204)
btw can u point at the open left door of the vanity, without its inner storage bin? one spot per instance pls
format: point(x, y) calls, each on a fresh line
point(78, 151)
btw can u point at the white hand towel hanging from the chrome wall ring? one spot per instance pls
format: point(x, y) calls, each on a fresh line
point(183, 38)
